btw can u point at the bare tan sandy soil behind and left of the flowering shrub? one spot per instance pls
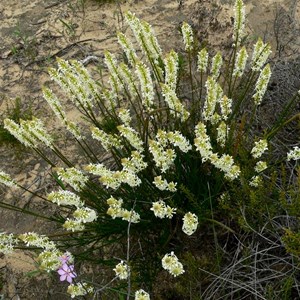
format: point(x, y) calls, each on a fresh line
point(34, 32)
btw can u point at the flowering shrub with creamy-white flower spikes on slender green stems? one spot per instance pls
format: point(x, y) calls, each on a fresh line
point(174, 152)
